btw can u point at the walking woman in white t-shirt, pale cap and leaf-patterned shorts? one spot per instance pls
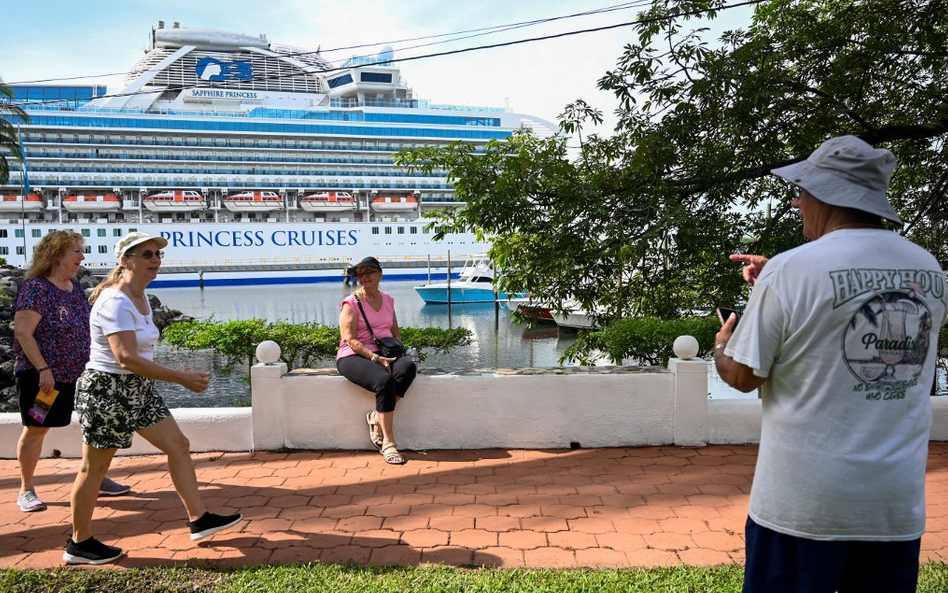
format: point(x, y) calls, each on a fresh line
point(116, 397)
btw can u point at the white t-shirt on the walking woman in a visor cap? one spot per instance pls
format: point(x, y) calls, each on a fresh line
point(114, 312)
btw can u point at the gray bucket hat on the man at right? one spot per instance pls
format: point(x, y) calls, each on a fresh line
point(846, 171)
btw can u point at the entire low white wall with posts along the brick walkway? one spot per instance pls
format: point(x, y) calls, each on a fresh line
point(595, 408)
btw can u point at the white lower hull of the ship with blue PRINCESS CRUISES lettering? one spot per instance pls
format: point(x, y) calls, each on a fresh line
point(264, 252)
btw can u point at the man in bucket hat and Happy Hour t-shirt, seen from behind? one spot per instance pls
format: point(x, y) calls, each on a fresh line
point(841, 336)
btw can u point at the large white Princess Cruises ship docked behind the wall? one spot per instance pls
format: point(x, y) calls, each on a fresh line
point(258, 162)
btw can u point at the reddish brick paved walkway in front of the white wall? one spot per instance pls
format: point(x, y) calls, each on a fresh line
point(512, 508)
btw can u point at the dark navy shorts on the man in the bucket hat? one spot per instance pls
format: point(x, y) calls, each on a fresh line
point(778, 563)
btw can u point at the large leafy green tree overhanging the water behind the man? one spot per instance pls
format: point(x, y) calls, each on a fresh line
point(641, 222)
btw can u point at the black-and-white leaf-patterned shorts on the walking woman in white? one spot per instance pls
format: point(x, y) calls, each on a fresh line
point(112, 407)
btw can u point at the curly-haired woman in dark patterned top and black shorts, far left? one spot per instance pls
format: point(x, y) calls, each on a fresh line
point(50, 348)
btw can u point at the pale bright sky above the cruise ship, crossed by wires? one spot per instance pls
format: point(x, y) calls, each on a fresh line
point(54, 40)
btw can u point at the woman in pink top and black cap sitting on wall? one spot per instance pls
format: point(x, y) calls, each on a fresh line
point(358, 356)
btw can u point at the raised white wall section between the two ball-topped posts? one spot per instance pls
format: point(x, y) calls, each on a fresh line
point(487, 411)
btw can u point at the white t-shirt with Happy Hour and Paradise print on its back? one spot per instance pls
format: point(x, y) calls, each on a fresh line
point(845, 329)
